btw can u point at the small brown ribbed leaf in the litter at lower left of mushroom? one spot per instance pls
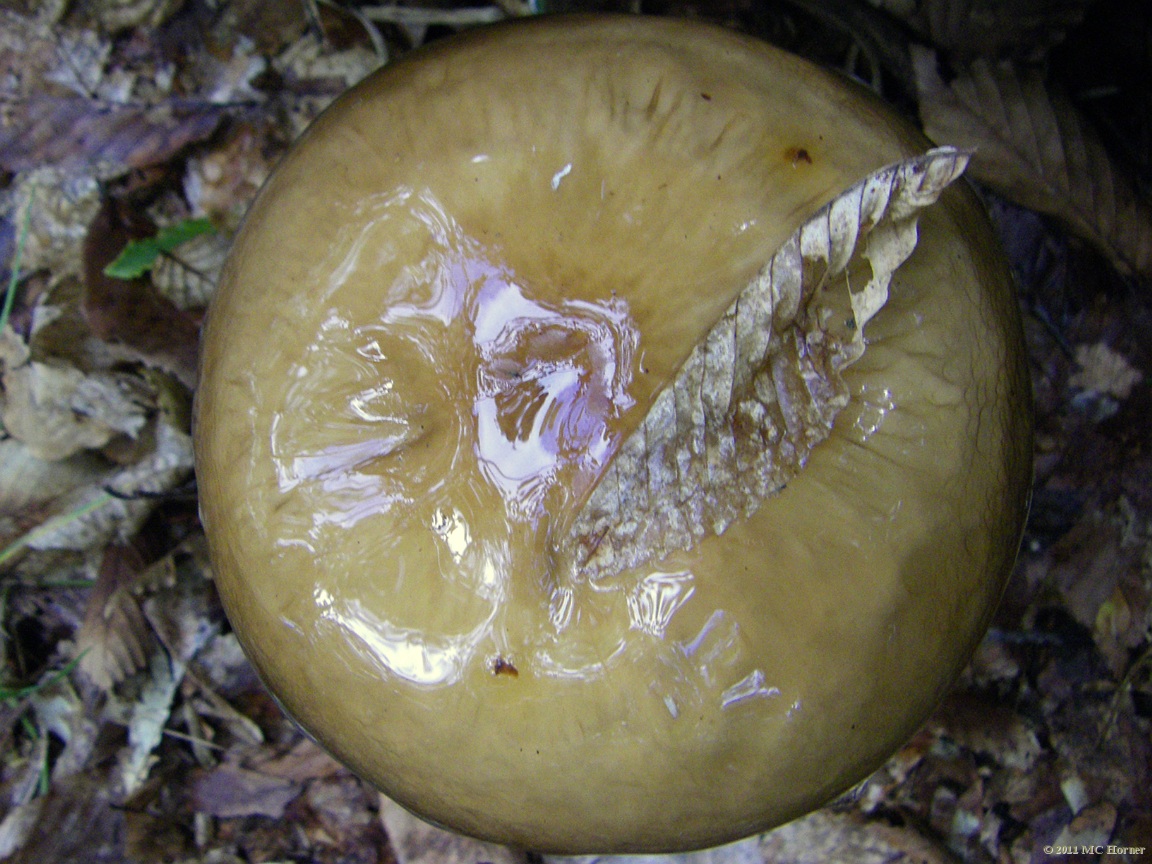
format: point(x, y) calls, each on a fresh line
point(115, 642)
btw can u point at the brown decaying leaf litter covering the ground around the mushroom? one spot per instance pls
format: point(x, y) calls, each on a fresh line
point(185, 108)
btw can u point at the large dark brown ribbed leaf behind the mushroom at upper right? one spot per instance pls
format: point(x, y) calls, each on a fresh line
point(1033, 147)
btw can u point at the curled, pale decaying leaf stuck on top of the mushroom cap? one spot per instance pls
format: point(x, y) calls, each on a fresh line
point(764, 386)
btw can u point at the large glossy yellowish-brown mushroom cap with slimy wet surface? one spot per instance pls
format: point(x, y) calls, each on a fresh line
point(456, 299)
